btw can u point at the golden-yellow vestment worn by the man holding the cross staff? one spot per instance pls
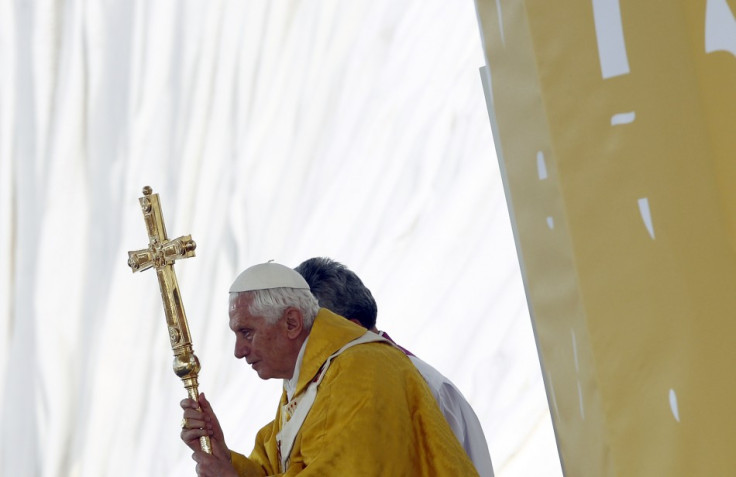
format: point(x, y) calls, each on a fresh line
point(373, 415)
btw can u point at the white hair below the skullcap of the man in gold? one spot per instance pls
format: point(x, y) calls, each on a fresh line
point(271, 303)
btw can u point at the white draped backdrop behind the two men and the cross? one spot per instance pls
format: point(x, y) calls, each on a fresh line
point(272, 130)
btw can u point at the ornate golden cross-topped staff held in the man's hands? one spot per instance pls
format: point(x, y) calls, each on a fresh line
point(161, 254)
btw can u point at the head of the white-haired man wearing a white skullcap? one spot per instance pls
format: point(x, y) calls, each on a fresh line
point(271, 313)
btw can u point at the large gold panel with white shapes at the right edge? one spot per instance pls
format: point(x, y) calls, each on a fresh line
point(614, 125)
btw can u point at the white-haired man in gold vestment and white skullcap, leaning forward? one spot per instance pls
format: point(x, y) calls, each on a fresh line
point(353, 404)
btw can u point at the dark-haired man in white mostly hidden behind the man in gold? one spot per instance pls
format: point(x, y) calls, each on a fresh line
point(341, 291)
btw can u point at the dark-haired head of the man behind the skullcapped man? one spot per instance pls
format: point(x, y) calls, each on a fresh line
point(339, 290)
